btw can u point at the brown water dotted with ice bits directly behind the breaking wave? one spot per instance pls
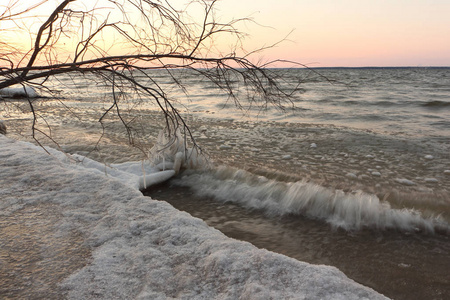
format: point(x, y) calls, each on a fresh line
point(341, 158)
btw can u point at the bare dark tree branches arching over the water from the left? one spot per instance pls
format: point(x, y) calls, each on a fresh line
point(79, 38)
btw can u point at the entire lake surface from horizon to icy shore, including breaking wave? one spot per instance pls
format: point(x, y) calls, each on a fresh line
point(356, 174)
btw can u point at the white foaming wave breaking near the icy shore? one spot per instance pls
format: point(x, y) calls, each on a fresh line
point(349, 211)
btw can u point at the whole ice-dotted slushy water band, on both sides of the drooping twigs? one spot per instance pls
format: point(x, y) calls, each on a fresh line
point(407, 172)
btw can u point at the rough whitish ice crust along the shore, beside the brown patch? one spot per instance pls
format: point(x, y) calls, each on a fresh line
point(146, 249)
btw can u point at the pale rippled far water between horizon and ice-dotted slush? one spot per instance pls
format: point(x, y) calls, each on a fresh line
point(407, 101)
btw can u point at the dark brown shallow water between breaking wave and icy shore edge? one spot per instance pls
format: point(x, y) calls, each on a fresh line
point(398, 265)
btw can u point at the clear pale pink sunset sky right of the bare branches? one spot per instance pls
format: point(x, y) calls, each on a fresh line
point(349, 32)
